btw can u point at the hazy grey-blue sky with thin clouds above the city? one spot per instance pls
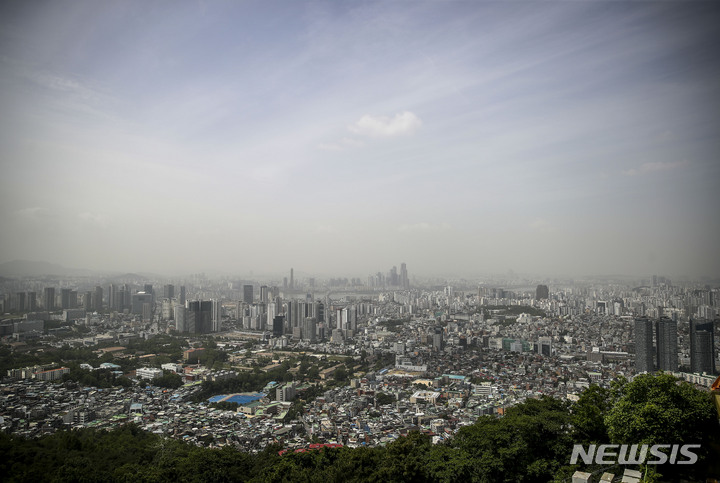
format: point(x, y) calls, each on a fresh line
point(346, 137)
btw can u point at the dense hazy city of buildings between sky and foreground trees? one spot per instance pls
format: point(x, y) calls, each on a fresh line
point(348, 362)
